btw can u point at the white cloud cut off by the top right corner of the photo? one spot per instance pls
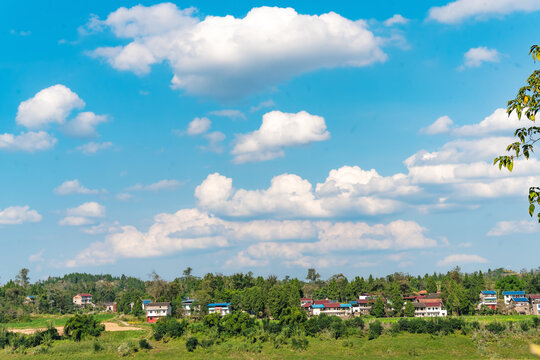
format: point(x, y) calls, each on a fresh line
point(457, 11)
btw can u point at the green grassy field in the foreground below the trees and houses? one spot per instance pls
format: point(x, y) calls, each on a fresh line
point(402, 346)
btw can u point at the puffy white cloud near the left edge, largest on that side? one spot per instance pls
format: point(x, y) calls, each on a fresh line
point(50, 105)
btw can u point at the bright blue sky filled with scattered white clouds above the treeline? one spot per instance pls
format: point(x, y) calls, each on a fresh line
point(353, 137)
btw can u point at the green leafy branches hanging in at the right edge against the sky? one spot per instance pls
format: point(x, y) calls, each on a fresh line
point(526, 102)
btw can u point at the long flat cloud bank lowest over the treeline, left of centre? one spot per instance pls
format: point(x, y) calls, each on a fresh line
point(287, 240)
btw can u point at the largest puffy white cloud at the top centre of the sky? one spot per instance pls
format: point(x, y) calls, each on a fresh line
point(227, 57)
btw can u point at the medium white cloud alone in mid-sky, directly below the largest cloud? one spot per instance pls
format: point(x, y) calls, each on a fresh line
point(279, 130)
